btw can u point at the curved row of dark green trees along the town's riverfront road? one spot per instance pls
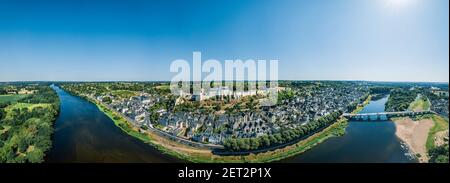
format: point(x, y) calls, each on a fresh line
point(280, 138)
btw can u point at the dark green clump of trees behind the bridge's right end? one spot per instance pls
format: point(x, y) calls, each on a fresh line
point(400, 99)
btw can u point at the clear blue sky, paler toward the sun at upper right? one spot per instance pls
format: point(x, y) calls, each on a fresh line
point(382, 40)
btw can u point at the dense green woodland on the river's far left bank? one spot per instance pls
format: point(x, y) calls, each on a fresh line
point(26, 126)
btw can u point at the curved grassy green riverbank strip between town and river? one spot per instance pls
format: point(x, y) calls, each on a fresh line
point(206, 156)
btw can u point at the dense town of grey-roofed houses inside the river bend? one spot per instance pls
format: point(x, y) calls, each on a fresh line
point(212, 120)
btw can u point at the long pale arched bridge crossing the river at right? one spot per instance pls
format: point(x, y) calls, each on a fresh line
point(383, 115)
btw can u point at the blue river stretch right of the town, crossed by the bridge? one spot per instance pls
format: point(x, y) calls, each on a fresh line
point(363, 142)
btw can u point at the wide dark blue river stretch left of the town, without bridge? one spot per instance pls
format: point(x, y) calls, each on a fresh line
point(85, 134)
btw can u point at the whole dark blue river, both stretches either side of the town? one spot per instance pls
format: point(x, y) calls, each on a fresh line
point(85, 134)
